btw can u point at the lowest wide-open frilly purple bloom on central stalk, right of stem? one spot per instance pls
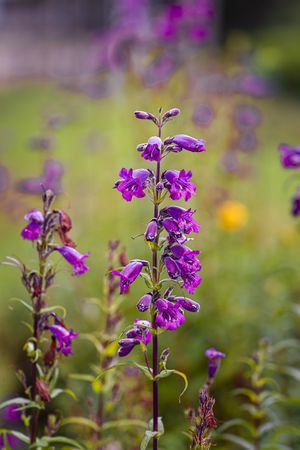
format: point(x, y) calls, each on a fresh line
point(170, 315)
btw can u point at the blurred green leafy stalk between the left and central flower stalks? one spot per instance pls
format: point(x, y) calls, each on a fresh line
point(104, 405)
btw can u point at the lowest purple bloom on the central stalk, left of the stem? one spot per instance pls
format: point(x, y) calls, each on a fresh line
point(139, 333)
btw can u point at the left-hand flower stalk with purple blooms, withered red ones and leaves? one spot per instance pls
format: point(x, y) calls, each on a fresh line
point(50, 339)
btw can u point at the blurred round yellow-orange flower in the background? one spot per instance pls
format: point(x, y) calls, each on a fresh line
point(232, 215)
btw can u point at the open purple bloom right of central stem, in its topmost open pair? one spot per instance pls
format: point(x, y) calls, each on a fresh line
point(178, 184)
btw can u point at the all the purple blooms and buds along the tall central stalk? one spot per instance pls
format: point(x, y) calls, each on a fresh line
point(179, 261)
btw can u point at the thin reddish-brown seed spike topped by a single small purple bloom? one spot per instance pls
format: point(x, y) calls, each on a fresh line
point(202, 420)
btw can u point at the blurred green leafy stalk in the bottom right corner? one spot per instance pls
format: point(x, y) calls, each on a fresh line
point(264, 400)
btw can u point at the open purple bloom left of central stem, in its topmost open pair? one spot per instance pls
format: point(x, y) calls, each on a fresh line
point(133, 184)
